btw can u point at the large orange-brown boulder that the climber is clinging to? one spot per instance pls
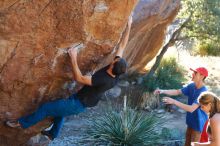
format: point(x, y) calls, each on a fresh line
point(34, 66)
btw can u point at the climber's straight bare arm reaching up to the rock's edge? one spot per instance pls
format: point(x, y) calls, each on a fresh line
point(124, 41)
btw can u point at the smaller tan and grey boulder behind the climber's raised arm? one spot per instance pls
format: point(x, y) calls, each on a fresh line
point(151, 18)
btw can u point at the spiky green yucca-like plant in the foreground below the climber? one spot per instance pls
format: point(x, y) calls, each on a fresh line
point(125, 128)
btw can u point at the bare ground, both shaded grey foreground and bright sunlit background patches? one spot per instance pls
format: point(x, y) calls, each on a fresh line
point(75, 126)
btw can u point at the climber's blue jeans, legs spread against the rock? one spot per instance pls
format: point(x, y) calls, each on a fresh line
point(57, 109)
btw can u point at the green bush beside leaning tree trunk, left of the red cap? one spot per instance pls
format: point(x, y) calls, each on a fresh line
point(169, 75)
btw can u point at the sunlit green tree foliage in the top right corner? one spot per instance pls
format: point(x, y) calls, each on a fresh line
point(205, 20)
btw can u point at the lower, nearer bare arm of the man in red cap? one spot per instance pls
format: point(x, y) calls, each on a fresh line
point(188, 108)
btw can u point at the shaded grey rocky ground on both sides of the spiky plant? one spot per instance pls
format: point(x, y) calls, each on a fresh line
point(74, 131)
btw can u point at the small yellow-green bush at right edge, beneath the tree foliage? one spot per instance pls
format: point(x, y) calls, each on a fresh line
point(208, 49)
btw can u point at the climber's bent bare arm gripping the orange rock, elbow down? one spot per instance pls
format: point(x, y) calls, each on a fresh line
point(86, 80)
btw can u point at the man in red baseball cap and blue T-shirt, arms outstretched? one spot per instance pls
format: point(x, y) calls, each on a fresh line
point(195, 118)
